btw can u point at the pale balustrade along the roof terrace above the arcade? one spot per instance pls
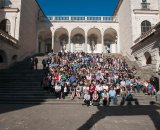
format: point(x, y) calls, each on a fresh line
point(82, 18)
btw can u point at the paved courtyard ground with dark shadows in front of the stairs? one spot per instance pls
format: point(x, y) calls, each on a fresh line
point(78, 117)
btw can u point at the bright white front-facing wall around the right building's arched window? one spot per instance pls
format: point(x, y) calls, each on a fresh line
point(138, 16)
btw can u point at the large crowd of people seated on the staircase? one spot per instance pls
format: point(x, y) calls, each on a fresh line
point(95, 78)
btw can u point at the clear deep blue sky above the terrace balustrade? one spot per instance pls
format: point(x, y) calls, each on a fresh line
point(78, 7)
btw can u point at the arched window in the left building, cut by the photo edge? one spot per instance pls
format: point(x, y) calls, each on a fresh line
point(5, 25)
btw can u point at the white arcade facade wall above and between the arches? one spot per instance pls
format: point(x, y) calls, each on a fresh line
point(86, 26)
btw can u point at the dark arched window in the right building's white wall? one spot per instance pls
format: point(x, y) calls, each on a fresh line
point(145, 26)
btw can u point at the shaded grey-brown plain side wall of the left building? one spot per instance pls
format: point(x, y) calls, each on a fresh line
point(28, 28)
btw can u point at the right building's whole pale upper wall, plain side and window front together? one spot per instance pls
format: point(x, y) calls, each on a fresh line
point(130, 16)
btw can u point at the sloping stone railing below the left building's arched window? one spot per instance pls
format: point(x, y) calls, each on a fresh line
point(11, 40)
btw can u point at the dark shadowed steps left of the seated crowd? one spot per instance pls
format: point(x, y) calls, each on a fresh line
point(20, 84)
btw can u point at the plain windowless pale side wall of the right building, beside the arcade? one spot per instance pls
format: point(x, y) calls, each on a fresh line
point(125, 27)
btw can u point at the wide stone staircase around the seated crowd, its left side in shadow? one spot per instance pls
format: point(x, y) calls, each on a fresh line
point(20, 84)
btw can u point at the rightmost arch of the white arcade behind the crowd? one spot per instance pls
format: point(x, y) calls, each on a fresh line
point(110, 39)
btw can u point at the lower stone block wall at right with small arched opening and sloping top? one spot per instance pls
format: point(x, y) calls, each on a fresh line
point(151, 45)
